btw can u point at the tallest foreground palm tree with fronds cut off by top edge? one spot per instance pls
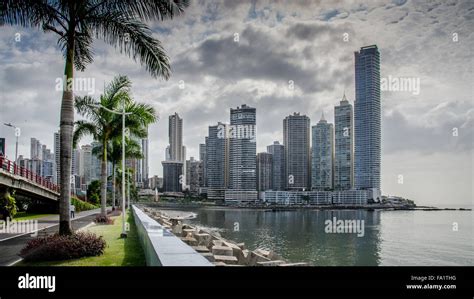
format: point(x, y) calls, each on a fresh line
point(77, 22)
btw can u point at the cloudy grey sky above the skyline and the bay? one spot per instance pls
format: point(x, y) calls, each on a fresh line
point(228, 53)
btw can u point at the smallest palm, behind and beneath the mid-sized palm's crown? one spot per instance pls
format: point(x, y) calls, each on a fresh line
point(114, 156)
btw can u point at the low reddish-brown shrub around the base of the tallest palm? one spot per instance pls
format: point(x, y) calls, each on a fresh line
point(56, 247)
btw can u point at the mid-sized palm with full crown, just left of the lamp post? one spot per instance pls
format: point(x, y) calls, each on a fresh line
point(105, 126)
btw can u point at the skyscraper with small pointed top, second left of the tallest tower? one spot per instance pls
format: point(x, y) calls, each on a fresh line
point(322, 155)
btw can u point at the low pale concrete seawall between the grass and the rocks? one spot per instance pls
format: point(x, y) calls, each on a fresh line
point(161, 247)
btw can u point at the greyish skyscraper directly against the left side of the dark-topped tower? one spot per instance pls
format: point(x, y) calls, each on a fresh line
point(217, 161)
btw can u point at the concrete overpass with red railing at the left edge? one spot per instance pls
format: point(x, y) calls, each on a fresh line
point(25, 182)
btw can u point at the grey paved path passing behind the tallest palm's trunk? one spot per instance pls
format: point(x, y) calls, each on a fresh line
point(11, 244)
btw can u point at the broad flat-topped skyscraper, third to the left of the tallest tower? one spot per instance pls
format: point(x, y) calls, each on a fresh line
point(296, 136)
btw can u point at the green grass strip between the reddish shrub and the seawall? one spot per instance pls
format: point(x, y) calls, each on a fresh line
point(118, 252)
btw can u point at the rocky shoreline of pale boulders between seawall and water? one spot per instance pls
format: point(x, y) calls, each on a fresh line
point(213, 247)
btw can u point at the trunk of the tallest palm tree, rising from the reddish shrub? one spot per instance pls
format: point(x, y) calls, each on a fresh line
point(65, 152)
